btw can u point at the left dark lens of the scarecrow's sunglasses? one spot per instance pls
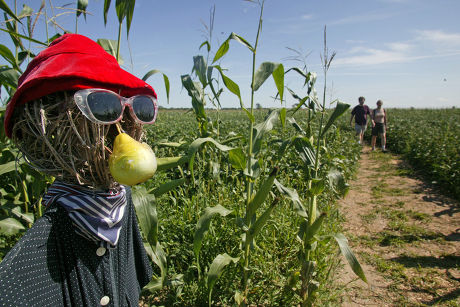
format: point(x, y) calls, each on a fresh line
point(105, 107)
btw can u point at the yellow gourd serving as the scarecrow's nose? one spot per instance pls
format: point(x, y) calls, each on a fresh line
point(131, 162)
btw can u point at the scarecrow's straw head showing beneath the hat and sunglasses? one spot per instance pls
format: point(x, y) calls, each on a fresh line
point(58, 140)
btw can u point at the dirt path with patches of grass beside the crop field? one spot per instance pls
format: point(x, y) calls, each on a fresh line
point(405, 234)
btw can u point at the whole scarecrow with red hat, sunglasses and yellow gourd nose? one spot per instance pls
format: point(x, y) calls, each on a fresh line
point(75, 112)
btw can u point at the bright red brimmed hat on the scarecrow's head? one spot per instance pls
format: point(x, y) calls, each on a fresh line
point(73, 62)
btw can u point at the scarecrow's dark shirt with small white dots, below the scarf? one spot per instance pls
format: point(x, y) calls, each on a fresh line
point(53, 266)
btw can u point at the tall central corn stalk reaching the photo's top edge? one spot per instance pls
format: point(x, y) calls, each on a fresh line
point(247, 160)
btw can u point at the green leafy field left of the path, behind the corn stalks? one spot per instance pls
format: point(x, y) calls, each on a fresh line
point(275, 262)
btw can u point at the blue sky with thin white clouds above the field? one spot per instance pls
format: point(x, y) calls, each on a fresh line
point(404, 52)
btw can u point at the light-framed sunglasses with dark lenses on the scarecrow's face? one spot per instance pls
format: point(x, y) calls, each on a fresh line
point(106, 107)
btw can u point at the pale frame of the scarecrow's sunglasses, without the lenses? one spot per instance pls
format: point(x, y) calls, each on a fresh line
point(81, 96)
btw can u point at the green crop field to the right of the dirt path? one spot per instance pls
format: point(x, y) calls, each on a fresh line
point(430, 140)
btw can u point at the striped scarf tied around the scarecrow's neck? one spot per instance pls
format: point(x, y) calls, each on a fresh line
point(96, 215)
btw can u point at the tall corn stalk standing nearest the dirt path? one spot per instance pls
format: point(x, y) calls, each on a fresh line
point(309, 148)
